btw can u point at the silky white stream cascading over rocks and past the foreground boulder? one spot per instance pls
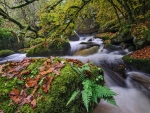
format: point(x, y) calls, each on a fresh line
point(131, 85)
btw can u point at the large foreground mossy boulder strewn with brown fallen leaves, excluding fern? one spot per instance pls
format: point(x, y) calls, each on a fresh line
point(42, 85)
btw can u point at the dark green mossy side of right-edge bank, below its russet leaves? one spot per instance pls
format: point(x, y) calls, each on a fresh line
point(140, 64)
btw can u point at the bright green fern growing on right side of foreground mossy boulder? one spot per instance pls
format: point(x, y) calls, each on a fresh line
point(90, 90)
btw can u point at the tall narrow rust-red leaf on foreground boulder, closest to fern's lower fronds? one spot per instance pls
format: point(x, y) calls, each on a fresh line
point(46, 85)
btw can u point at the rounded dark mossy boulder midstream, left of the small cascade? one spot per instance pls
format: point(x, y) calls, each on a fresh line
point(57, 47)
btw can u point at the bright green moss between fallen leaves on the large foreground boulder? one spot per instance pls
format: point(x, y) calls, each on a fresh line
point(61, 89)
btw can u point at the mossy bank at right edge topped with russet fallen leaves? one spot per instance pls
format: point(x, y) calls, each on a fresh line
point(140, 59)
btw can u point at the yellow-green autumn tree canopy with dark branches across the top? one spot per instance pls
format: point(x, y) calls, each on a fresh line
point(57, 18)
